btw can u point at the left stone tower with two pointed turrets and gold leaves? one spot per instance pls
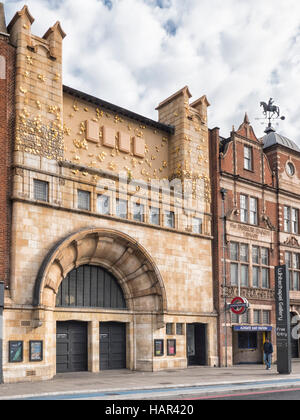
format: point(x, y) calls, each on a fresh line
point(39, 126)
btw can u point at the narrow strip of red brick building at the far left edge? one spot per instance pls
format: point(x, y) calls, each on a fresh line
point(7, 75)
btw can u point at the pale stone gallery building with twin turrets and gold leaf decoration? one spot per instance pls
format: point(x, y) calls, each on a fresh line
point(111, 227)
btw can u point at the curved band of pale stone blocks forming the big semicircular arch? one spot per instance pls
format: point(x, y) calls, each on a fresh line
point(115, 251)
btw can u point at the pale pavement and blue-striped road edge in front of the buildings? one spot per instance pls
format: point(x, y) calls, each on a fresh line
point(125, 384)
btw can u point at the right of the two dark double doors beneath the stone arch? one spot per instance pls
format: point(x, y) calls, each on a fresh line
point(112, 345)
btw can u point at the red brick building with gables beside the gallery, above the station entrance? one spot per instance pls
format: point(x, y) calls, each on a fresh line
point(256, 204)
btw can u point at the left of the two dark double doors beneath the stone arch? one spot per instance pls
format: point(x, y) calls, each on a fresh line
point(71, 347)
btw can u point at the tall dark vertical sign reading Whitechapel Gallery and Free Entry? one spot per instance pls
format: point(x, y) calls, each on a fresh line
point(283, 329)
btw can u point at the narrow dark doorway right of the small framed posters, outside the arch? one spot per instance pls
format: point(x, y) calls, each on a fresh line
point(196, 344)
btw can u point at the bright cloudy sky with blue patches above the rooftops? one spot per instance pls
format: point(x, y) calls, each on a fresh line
point(135, 53)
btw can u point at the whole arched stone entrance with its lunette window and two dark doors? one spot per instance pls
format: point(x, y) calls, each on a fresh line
point(102, 290)
